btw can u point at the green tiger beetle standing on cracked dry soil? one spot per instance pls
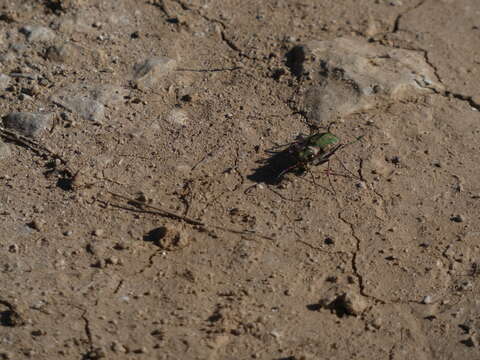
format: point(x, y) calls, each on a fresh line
point(315, 150)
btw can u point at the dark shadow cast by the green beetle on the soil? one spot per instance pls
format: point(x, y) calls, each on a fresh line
point(271, 170)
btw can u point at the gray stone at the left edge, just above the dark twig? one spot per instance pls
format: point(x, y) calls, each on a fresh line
point(28, 123)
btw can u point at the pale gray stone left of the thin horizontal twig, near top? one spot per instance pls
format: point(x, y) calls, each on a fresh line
point(148, 74)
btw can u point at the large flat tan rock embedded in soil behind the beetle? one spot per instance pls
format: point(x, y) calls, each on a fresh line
point(352, 75)
